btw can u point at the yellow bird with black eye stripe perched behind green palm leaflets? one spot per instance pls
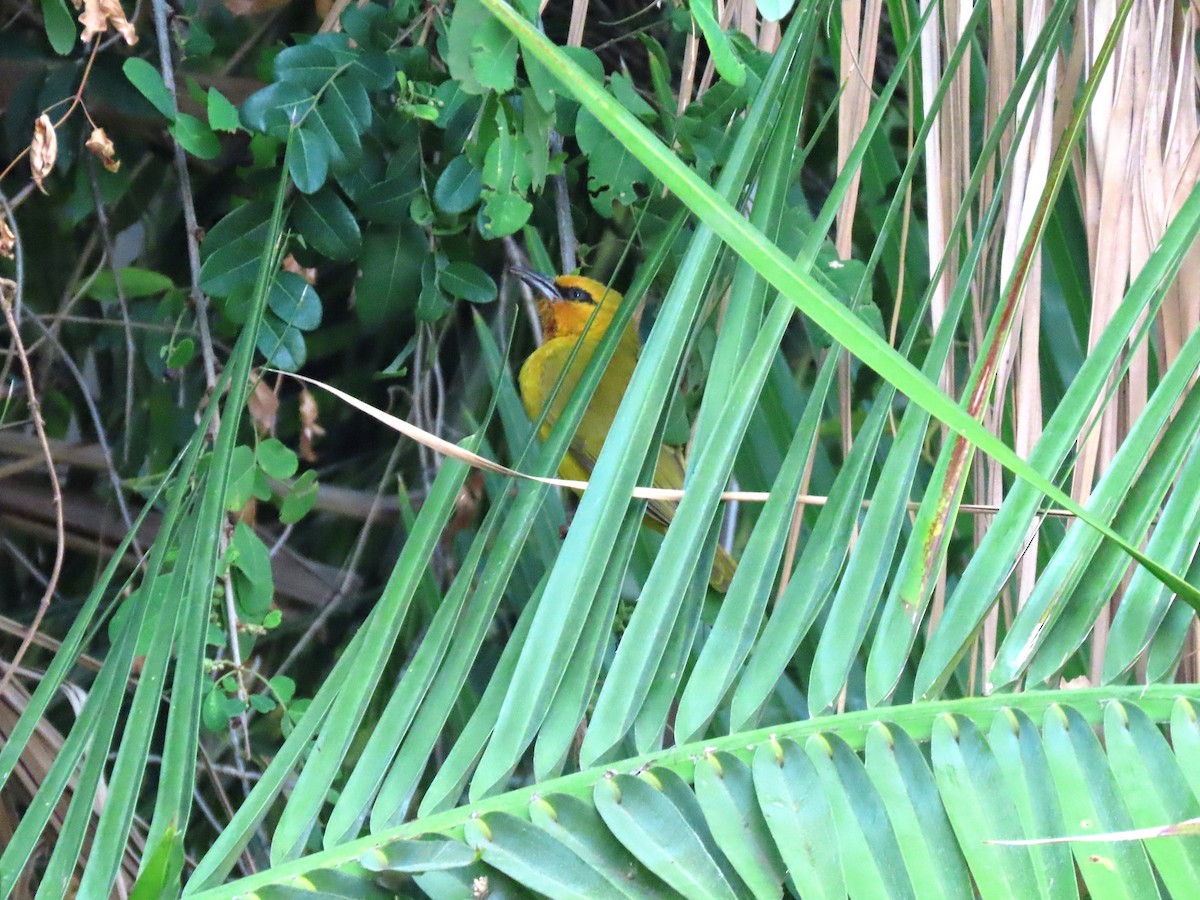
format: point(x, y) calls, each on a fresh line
point(565, 307)
